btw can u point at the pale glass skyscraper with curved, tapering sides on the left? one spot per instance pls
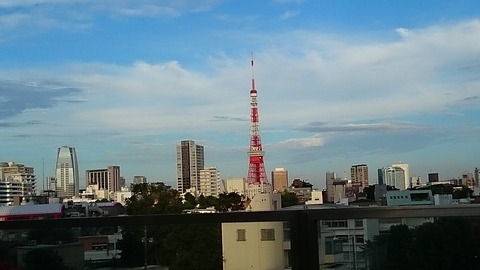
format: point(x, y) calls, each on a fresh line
point(66, 174)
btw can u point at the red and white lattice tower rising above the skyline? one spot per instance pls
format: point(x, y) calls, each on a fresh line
point(257, 178)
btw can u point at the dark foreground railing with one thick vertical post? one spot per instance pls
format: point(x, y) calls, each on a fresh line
point(303, 223)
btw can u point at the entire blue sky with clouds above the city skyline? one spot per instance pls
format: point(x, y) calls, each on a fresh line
point(340, 83)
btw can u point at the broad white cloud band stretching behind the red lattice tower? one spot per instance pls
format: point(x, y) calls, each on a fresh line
point(325, 79)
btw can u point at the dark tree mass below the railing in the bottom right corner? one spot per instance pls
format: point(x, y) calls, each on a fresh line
point(444, 244)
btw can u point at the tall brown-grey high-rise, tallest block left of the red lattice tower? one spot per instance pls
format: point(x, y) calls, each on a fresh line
point(190, 160)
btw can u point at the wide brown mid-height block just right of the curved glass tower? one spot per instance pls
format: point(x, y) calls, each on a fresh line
point(108, 179)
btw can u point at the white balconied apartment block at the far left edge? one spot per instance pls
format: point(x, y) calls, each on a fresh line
point(16, 180)
